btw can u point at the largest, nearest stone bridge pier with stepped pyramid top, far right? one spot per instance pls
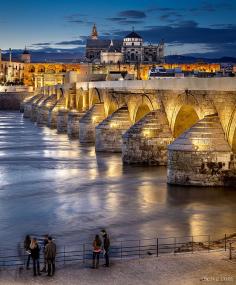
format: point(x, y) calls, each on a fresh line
point(200, 156)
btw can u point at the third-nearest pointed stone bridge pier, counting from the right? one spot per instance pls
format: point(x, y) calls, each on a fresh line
point(109, 132)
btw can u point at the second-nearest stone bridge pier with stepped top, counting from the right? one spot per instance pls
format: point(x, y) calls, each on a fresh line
point(146, 141)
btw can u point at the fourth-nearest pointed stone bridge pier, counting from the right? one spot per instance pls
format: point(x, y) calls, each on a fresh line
point(89, 121)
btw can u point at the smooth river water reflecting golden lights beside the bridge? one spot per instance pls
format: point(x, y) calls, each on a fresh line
point(50, 184)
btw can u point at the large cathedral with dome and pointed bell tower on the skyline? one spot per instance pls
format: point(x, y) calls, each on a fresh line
point(129, 50)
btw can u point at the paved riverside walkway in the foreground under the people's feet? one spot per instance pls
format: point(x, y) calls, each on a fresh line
point(197, 268)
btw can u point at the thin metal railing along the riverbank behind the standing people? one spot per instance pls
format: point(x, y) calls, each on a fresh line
point(125, 249)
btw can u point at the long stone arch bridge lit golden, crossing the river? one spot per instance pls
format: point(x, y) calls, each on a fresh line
point(187, 124)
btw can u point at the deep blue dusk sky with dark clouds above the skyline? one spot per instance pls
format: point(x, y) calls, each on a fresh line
point(191, 27)
